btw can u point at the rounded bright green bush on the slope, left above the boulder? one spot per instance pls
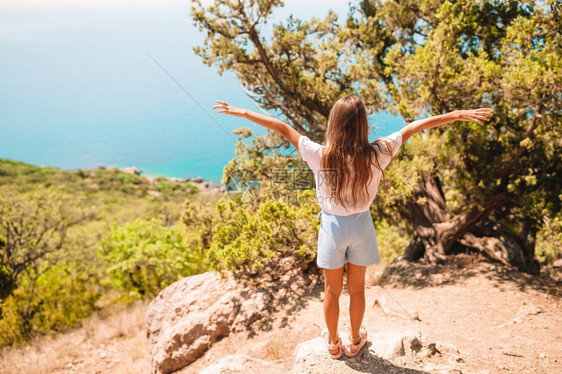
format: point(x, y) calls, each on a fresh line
point(143, 257)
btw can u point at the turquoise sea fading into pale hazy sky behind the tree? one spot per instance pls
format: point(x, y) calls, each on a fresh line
point(78, 88)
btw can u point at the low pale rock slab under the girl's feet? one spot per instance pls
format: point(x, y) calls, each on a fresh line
point(385, 352)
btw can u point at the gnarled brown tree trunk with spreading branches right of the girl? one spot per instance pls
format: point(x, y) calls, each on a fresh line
point(436, 232)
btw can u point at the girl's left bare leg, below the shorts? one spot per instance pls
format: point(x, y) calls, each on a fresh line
point(332, 291)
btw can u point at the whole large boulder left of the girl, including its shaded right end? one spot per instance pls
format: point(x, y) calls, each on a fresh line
point(188, 316)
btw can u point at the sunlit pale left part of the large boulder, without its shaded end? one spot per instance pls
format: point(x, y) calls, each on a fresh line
point(188, 316)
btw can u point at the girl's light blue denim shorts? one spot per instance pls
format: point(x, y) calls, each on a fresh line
point(344, 239)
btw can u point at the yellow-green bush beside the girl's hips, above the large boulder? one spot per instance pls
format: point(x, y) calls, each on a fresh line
point(246, 239)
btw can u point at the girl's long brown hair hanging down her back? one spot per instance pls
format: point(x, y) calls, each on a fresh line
point(346, 161)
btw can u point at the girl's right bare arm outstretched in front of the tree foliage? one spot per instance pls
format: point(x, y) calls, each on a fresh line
point(474, 115)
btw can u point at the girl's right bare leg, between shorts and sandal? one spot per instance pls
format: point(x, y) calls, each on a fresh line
point(356, 288)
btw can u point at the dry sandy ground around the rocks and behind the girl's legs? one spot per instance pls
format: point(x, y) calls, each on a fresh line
point(499, 320)
